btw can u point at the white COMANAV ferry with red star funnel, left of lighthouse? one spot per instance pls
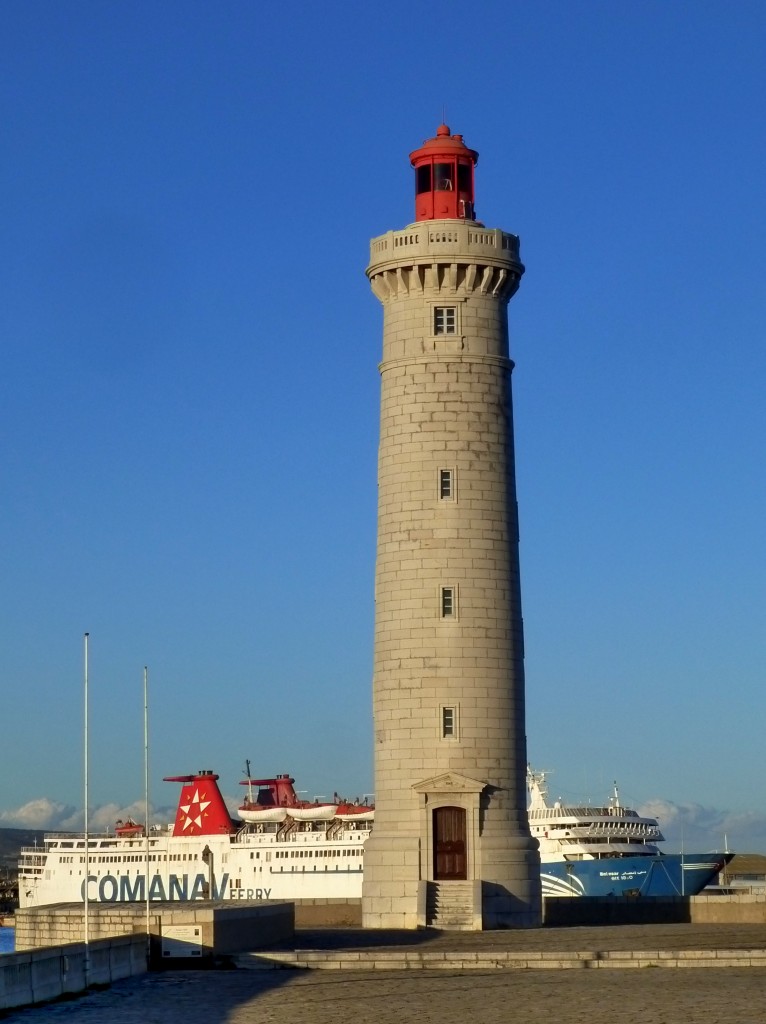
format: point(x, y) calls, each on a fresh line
point(283, 848)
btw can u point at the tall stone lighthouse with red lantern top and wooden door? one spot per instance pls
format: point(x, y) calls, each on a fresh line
point(451, 845)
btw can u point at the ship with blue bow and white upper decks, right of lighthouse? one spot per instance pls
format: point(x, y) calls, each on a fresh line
point(610, 850)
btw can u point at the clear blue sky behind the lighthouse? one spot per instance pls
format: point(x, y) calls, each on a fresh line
point(189, 398)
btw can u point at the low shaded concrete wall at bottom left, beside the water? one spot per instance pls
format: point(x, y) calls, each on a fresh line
point(41, 975)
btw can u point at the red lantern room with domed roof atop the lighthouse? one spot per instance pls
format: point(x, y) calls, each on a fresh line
point(444, 179)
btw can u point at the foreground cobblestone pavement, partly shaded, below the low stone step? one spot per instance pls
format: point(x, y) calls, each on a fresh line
point(662, 997)
